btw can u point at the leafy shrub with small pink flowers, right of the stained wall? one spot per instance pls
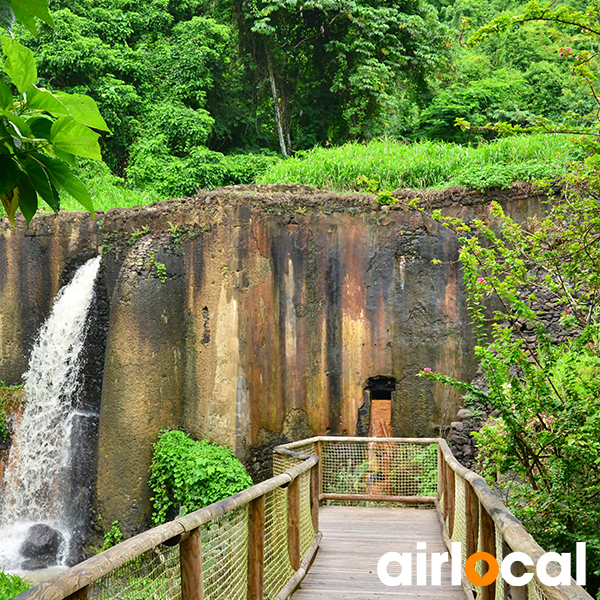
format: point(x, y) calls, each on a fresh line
point(543, 451)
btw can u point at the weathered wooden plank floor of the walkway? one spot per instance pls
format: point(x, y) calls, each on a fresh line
point(354, 539)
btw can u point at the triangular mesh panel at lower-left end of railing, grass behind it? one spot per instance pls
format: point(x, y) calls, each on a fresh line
point(151, 575)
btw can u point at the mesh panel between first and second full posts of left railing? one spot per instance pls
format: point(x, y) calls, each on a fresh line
point(225, 556)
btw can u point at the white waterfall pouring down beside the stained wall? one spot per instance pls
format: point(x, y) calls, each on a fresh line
point(40, 452)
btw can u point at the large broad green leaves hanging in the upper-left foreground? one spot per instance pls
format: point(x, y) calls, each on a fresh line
point(41, 132)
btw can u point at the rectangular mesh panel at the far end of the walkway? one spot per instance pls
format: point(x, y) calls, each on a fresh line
point(379, 468)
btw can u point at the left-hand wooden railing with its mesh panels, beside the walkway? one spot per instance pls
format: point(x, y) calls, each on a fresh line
point(254, 537)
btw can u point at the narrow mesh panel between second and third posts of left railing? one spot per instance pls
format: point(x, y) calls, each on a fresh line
point(277, 566)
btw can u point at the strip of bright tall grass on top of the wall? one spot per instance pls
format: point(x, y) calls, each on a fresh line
point(429, 164)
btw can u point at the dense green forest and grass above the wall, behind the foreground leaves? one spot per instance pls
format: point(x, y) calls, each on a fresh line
point(198, 94)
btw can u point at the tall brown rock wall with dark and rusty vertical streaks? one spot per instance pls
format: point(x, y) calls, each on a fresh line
point(253, 315)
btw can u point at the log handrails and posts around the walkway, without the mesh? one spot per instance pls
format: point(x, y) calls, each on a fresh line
point(486, 513)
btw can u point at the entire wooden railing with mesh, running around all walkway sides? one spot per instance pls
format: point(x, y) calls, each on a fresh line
point(259, 543)
